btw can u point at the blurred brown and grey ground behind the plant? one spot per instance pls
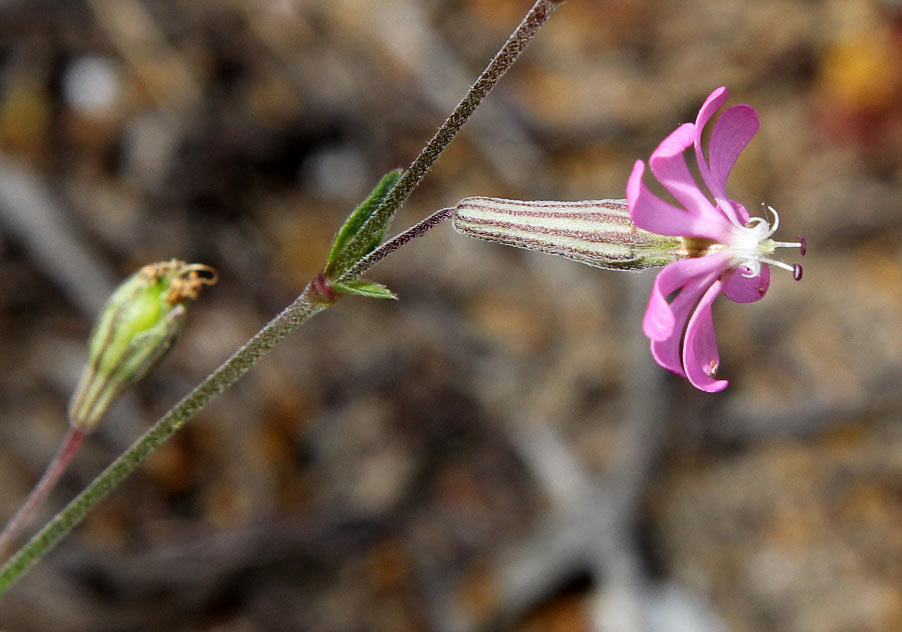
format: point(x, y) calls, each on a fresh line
point(497, 450)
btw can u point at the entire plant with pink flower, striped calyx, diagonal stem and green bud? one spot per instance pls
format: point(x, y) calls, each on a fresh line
point(706, 245)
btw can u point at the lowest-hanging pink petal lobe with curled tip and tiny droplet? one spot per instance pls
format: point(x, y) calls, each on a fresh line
point(700, 357)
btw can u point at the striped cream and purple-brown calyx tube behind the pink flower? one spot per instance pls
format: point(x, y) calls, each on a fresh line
point(595, 232)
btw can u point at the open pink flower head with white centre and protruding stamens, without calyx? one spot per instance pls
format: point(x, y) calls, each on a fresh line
point(723, 250)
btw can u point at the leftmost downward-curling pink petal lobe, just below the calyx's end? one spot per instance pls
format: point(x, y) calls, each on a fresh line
point(660, 321)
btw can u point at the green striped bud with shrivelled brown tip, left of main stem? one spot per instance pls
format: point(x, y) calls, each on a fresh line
point(136, 328)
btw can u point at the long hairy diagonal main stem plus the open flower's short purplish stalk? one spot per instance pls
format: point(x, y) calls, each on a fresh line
point(311, 301)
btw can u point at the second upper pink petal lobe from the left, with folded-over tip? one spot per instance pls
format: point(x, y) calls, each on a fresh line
point(668, 164)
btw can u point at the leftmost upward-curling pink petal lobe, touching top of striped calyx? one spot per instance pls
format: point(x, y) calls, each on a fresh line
point(650, 212)
